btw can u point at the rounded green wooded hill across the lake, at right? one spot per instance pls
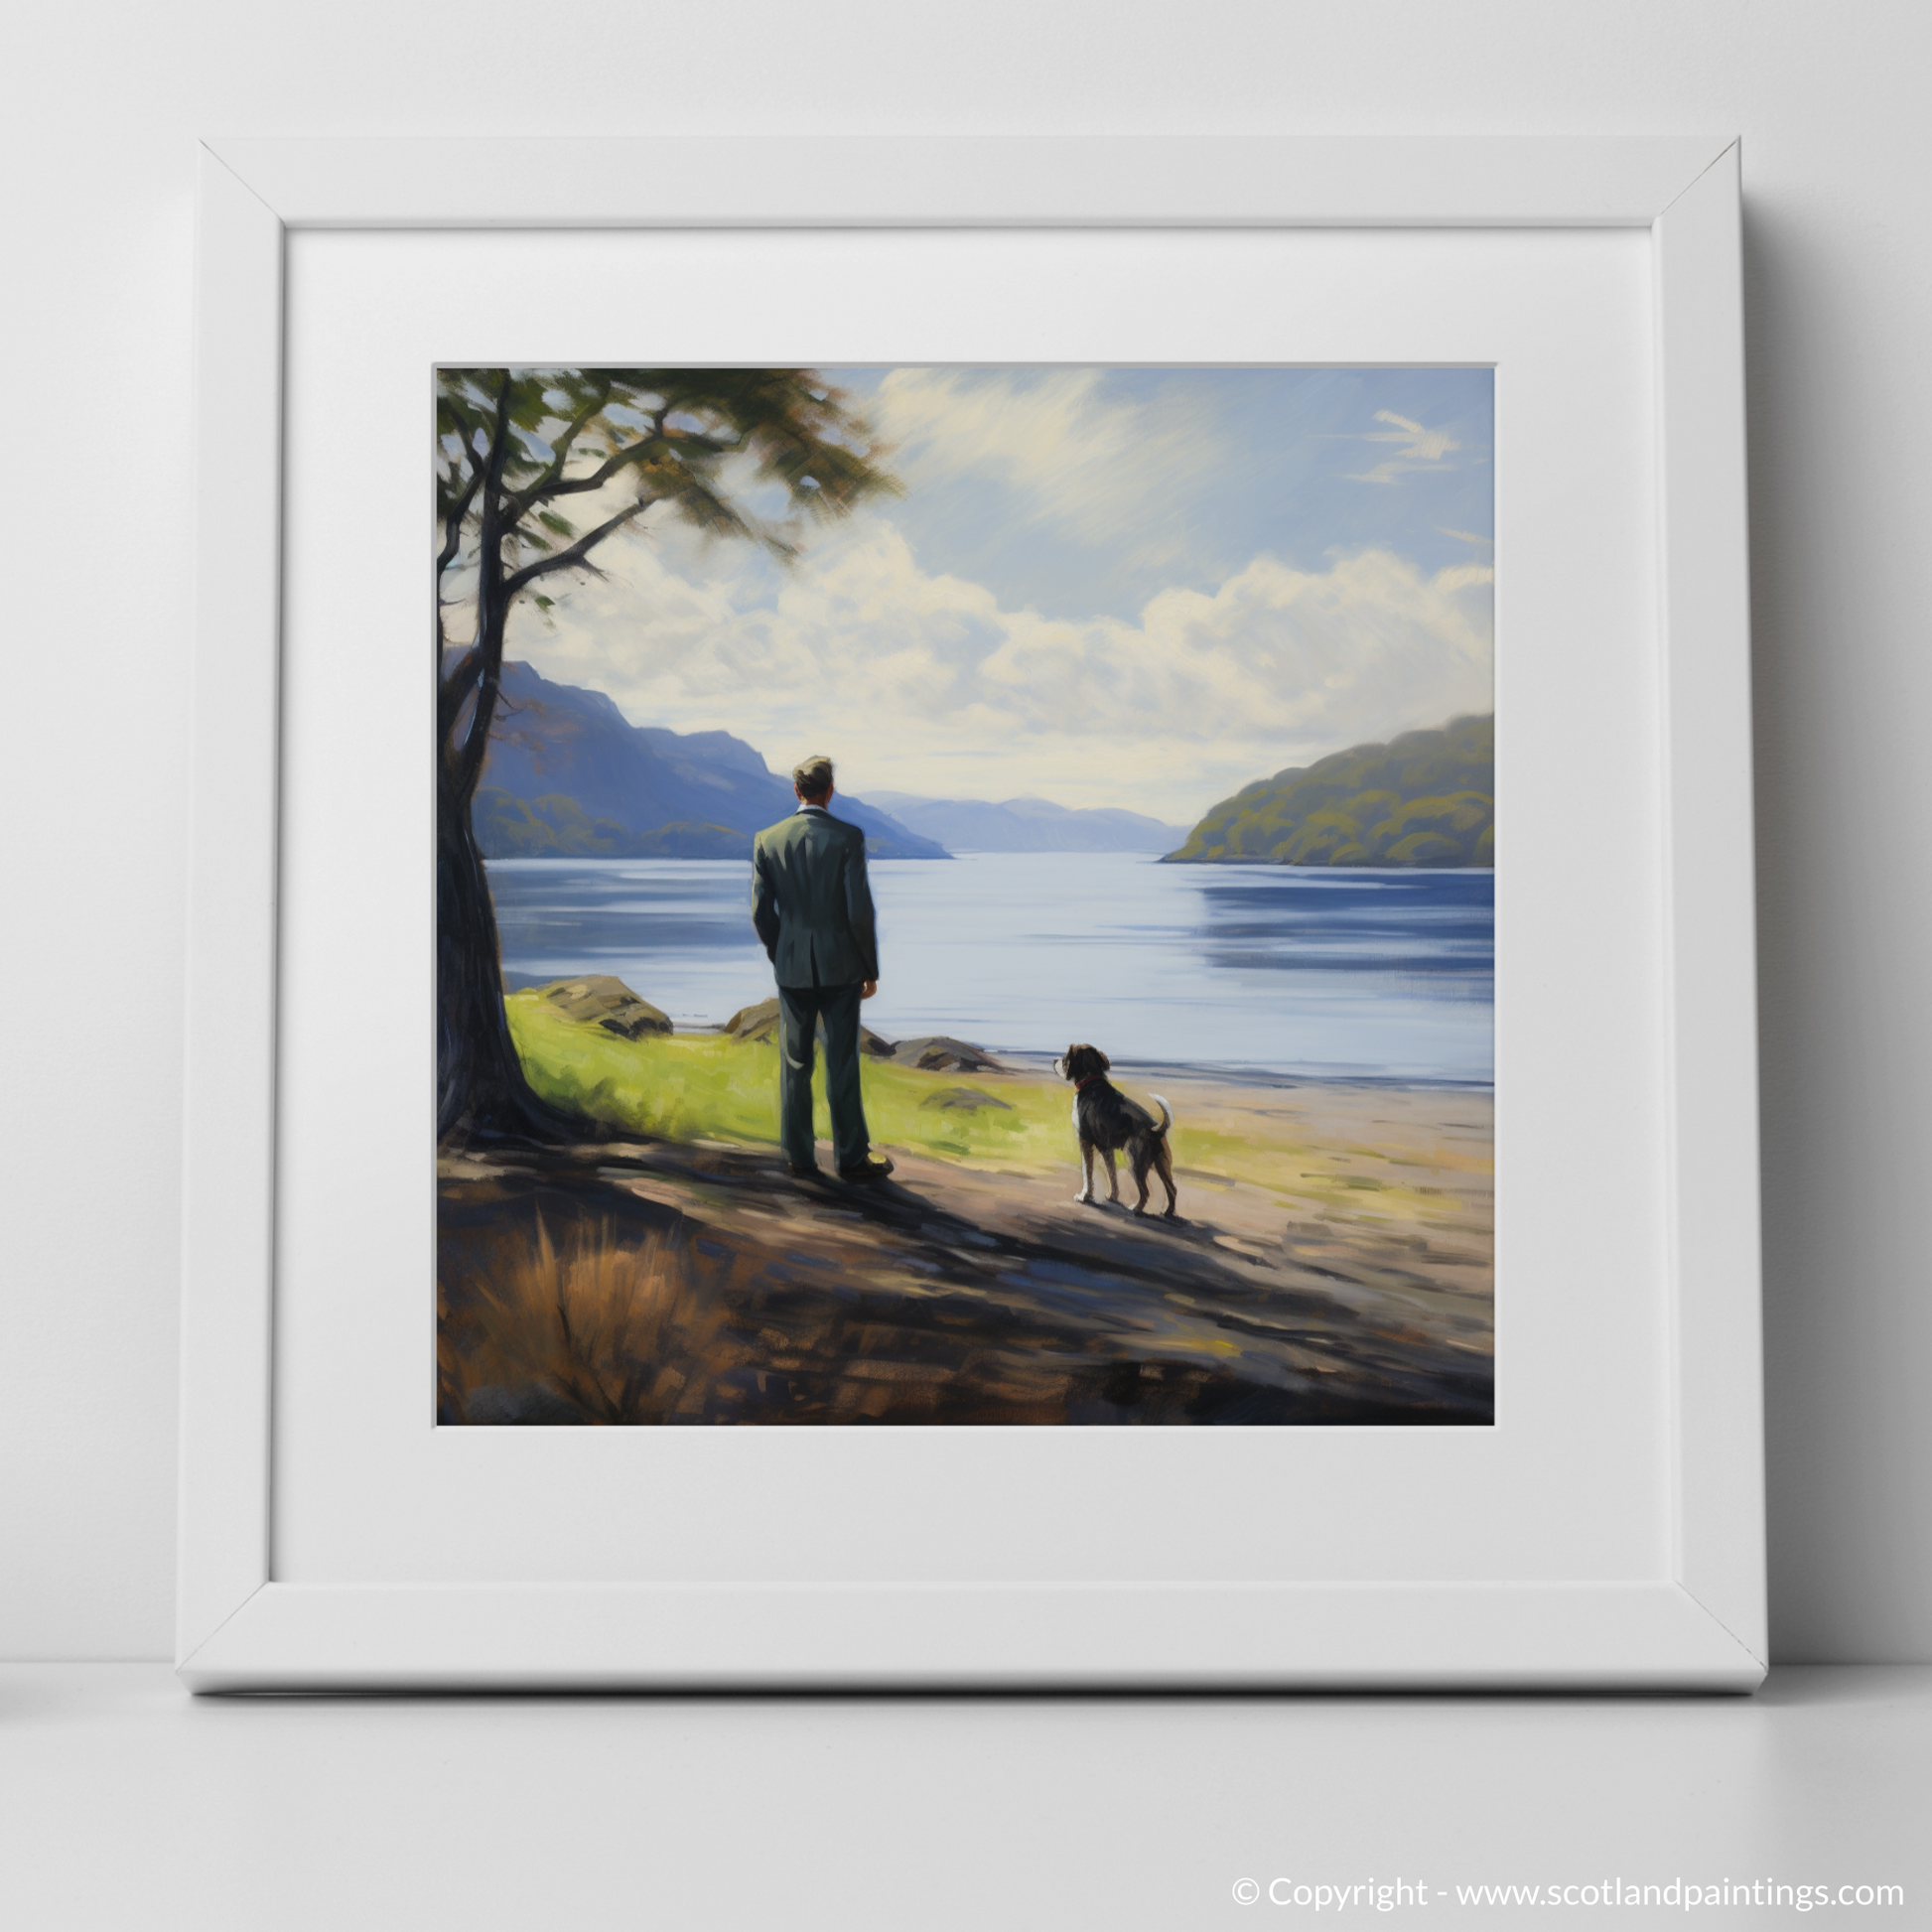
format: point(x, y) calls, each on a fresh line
point(1425, 799)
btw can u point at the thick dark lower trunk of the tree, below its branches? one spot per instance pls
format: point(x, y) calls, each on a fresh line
point(482, 1094)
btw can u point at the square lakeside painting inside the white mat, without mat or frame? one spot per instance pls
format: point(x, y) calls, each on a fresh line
point(965, 895)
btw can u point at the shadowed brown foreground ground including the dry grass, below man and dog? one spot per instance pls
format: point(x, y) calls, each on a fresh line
point(702, 1284)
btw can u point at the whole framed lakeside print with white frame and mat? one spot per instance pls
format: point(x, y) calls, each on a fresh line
point(975, 971)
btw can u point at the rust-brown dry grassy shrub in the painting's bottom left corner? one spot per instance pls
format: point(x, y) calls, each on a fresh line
point(625, 1332)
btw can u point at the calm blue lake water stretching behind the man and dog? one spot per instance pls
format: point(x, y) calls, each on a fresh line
point(1367, 975)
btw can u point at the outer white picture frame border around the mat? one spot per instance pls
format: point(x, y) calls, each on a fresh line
point(1699, 1622)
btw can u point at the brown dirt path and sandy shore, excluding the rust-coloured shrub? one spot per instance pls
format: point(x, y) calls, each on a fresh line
point(1355, 1290)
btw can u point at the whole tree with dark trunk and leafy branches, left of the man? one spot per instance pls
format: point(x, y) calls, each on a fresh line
point(513, 449)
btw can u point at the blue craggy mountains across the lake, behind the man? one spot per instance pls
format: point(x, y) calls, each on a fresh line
point(571, 776)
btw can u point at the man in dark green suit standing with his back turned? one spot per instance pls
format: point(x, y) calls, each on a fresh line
point(812, 909)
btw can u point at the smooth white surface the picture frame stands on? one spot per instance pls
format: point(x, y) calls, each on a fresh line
point(128, 1804)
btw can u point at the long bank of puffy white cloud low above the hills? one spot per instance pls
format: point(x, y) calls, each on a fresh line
point(923, 683)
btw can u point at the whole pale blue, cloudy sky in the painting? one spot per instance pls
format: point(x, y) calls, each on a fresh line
point(1133, 588)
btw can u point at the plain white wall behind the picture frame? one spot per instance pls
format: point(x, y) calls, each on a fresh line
point(101, 119)
